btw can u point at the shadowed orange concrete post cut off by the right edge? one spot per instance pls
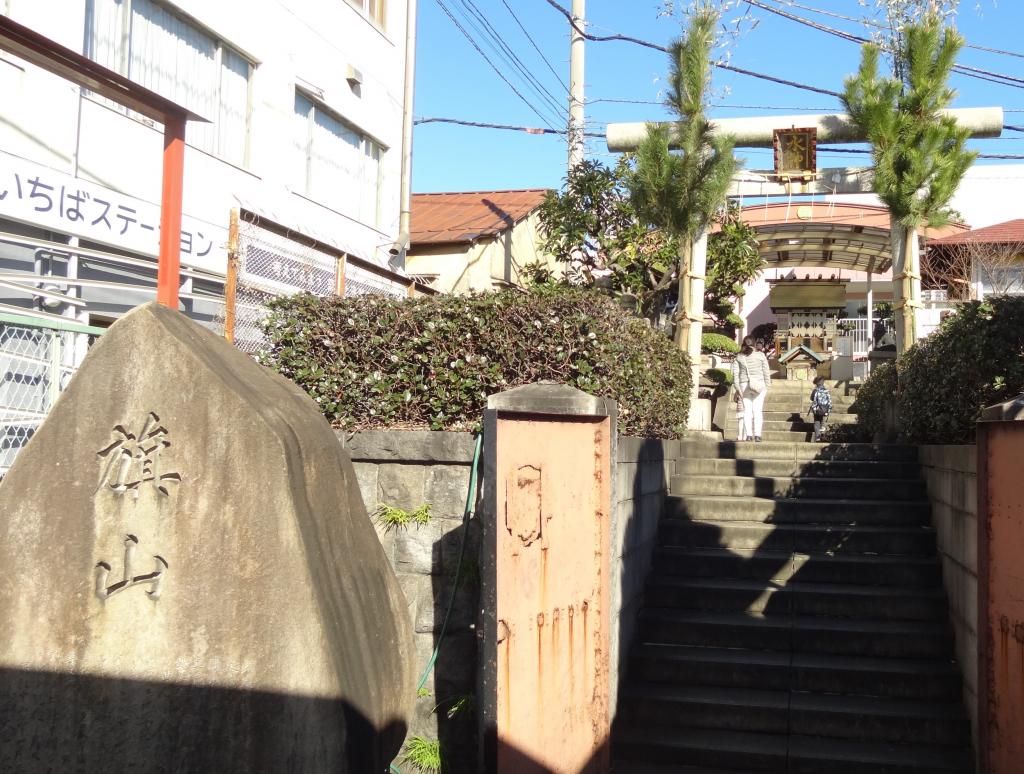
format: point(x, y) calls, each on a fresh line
point(1001, 590)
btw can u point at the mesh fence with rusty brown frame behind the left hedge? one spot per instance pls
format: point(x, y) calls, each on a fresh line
point(271, 265)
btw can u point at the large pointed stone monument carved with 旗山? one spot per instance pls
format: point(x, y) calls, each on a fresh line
point(190, 581)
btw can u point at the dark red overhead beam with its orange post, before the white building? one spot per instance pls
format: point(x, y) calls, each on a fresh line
point(82, 71)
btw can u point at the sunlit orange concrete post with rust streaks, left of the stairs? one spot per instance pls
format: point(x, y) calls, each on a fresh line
point(546, 566)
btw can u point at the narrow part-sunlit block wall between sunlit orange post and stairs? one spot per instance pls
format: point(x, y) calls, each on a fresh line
point(644, 469)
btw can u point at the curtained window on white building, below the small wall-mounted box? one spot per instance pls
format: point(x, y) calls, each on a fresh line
point(337, 165)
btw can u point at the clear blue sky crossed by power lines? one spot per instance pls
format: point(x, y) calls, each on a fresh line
point(455, 81)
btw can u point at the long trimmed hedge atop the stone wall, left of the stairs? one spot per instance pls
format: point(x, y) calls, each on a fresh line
point(373, 362)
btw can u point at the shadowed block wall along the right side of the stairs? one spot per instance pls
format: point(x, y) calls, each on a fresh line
point(953, 488)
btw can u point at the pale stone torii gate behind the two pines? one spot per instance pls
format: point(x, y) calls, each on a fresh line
point(762, 133)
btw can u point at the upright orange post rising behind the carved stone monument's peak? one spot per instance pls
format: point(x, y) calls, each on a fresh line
point(169, 266)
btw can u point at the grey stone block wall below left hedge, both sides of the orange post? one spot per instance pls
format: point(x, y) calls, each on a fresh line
point(408, 469)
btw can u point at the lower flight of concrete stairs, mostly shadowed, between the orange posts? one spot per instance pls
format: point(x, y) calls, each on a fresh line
point(794, 621)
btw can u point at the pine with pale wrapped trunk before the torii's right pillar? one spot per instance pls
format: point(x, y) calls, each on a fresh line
point(919, 154)
